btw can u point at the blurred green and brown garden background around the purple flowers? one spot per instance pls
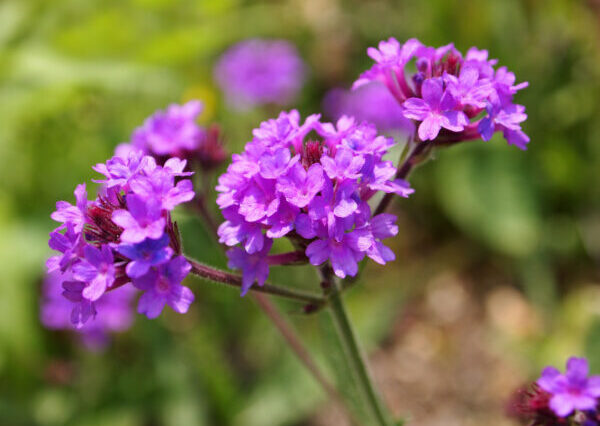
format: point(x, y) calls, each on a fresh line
point(497, 257)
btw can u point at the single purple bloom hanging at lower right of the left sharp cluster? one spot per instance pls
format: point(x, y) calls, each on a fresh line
point(162, 286)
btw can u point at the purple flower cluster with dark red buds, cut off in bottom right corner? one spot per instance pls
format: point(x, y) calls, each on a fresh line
point(561, 399)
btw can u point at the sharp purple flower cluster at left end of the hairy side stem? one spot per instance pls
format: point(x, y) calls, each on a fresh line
point(124, 235)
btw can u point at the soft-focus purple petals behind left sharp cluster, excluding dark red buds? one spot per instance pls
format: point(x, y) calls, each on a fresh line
point(172, 132)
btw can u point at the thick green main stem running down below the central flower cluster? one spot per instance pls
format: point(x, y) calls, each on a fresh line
point(352, 351)
